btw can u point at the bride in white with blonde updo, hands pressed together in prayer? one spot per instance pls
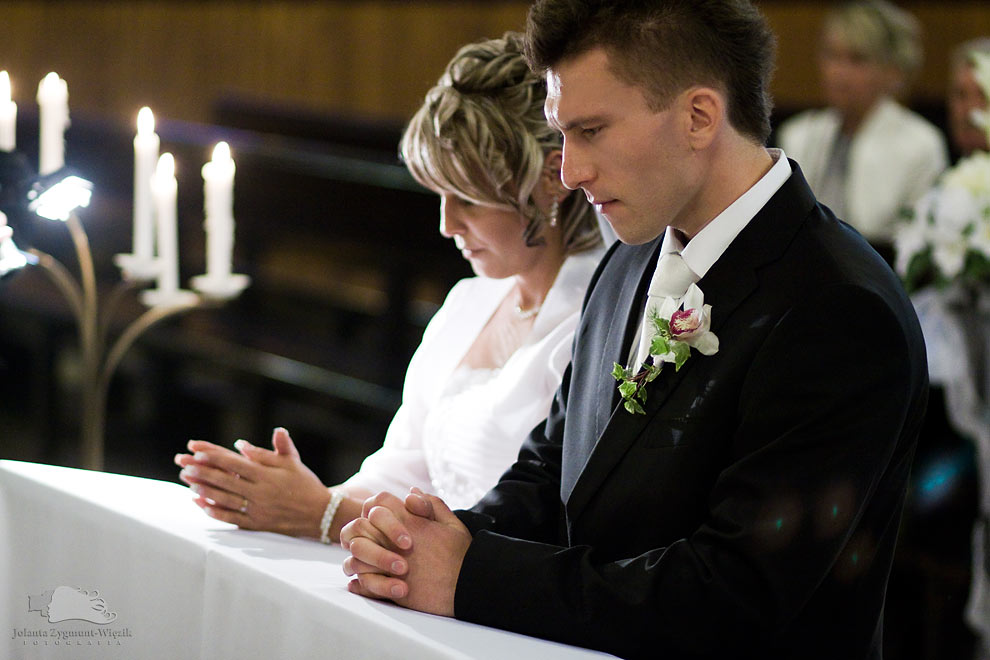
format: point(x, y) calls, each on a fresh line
point(493, 355)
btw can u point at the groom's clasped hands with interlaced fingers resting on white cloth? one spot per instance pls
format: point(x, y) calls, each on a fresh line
point(409, 551)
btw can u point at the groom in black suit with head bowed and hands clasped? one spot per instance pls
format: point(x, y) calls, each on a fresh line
point(740, 496)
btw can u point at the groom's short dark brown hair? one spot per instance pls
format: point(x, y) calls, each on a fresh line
point(666, 46)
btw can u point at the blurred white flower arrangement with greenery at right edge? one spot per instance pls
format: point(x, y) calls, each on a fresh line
point(946, 236)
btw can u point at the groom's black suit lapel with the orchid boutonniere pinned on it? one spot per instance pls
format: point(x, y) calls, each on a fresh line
point(726, 285)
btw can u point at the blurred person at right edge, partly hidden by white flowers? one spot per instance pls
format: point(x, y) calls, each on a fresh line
point(966, 95)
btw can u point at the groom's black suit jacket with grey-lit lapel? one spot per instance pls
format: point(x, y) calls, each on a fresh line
point(753, 510)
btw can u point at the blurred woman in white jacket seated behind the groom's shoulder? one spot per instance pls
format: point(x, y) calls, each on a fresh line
point(865, 156)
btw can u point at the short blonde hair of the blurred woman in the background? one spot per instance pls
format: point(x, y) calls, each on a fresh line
point(886, 34)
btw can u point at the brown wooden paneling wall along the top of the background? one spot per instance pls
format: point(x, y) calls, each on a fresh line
point(369, 57)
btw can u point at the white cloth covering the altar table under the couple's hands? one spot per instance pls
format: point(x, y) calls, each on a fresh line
point(173, 583)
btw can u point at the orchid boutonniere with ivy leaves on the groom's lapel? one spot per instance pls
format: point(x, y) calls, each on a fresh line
point(676, 330)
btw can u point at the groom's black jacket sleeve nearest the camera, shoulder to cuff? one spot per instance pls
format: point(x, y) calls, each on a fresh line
point(824, 401)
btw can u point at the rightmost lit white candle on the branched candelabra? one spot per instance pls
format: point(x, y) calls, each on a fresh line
point(218, 203)
